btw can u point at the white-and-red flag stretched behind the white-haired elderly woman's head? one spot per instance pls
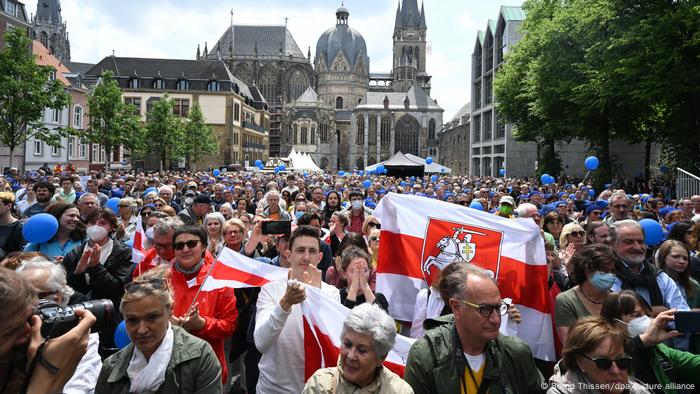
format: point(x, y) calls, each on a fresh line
point(323, 325)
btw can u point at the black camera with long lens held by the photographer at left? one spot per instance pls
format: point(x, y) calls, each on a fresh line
point(58, 320)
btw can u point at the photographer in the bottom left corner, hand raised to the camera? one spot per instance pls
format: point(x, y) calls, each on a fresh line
point(27, 362)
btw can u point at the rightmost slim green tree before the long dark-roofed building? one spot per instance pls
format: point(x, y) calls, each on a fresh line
point(198, 138)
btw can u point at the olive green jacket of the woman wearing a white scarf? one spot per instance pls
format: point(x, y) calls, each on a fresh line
point(193, 368)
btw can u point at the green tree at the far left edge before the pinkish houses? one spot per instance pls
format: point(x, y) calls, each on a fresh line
point(25, 93)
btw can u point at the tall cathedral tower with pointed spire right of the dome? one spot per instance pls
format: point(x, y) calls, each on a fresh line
point(410, 47)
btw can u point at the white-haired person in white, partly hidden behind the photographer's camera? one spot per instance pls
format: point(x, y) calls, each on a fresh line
point(49, 281)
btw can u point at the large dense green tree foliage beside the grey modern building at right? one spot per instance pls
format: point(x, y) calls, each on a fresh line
point(598, 70)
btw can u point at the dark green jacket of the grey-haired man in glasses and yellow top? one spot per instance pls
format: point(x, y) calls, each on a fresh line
point(436, 364)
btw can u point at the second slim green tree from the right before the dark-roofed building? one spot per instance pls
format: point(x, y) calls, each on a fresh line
point(165, 131)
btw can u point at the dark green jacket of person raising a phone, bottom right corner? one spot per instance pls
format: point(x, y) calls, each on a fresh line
point(670, 365)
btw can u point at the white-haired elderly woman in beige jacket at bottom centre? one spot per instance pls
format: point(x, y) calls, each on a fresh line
point(368, 335)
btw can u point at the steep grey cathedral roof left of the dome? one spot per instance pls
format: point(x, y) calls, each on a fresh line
point(263, 41)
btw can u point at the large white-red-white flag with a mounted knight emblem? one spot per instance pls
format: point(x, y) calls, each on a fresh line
point(420, 236)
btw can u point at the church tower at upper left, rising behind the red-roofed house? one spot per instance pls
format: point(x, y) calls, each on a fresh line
point(50, 30)
